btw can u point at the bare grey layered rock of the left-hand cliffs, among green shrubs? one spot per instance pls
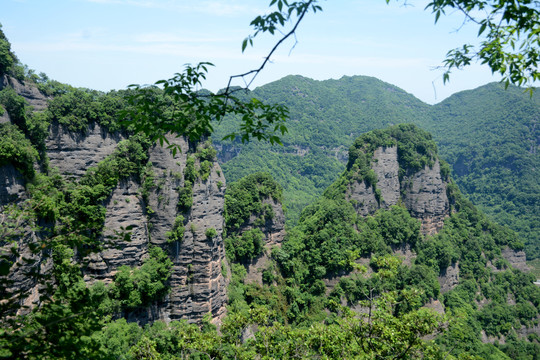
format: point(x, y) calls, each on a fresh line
point(147, 211)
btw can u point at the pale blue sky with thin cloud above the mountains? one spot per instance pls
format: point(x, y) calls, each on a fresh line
point(110, 44)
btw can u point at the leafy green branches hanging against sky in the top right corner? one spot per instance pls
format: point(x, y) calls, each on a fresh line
point(511, 45)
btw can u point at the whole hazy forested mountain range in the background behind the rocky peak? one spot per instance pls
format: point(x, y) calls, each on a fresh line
point(488, 135)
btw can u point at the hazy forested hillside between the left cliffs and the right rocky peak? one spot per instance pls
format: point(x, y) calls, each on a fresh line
point(325, 118)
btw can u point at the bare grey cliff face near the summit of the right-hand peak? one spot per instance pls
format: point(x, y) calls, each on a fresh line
point(423, 192)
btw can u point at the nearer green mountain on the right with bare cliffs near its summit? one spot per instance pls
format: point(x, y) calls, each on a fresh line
point(392, 235)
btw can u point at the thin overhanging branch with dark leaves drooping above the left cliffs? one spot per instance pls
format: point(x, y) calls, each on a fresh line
point(185, 110)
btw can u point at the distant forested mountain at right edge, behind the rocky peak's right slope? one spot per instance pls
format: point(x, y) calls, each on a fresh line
point(491, 136)
